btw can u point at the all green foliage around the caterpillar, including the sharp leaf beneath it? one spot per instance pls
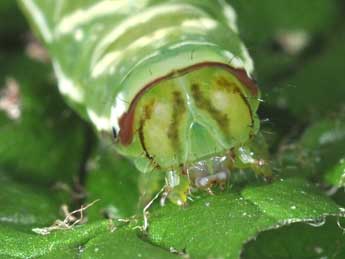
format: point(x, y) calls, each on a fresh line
point(50, 157)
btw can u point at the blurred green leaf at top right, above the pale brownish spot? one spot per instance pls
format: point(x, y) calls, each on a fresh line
point(277, 16)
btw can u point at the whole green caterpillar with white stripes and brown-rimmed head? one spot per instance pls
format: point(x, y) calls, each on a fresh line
point(169, 79)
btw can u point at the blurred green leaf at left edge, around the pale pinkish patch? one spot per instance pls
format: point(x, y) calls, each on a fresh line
point(46, 143)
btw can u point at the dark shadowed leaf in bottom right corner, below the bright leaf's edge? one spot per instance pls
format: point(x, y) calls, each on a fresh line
point(299, 241)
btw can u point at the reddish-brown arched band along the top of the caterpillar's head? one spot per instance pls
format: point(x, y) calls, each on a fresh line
point(127, 119)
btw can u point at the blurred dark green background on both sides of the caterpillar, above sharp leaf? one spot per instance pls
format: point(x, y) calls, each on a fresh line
point(49, 156)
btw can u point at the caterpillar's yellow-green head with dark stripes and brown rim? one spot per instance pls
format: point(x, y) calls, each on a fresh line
point(189, 115)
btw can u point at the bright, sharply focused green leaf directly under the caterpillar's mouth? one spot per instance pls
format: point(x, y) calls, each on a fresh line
point(219, 226)
